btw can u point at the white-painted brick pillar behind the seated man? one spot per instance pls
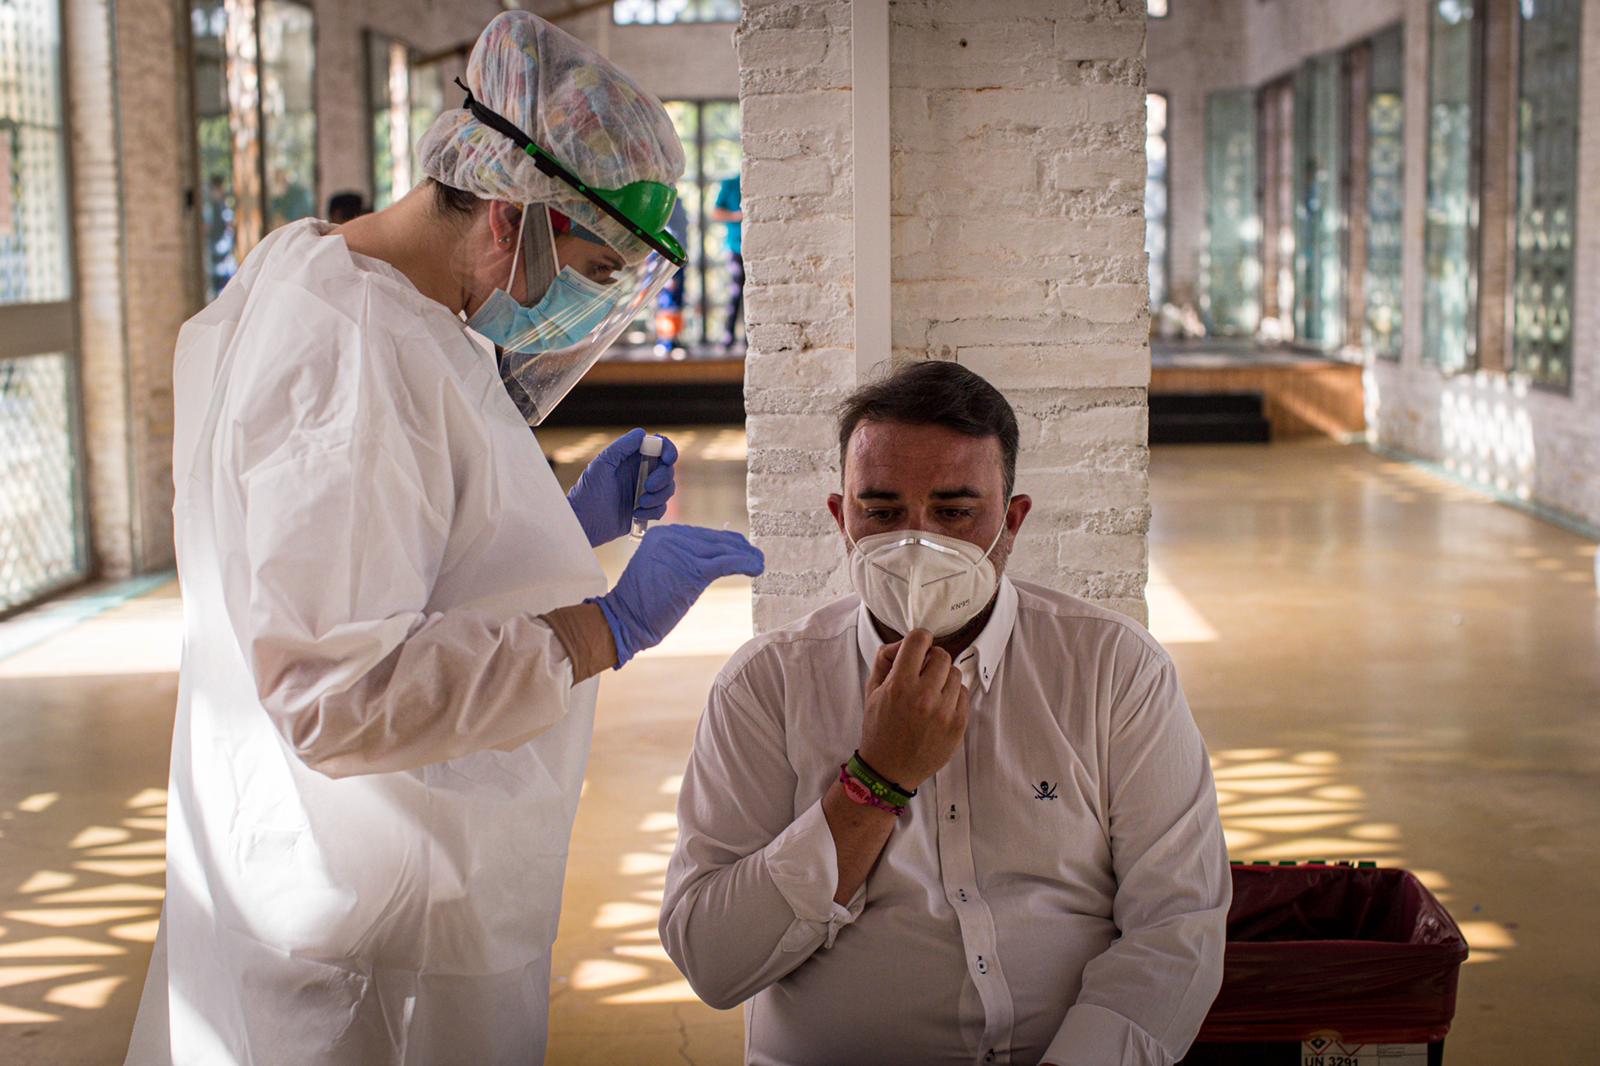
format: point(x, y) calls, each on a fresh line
point(1017, 249)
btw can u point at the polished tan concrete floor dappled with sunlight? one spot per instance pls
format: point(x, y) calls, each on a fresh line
point(1385, 667)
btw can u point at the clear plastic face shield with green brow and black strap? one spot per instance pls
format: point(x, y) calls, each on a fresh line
point(580, 297)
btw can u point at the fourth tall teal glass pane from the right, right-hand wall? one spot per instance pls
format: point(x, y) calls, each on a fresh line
point(1319, 214)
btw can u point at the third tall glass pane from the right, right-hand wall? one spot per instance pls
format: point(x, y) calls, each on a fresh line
point(1385, 193)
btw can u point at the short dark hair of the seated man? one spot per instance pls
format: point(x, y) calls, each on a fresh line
point(934, 393)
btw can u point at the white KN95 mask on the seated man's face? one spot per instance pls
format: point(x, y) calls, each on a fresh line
point(913, 580)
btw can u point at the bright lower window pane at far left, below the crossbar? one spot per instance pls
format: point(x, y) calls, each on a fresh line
point(39, 521)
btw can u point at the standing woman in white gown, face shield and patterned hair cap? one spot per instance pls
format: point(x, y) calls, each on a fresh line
point(394, 619)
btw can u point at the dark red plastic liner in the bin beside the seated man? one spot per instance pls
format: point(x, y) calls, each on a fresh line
point(1367, 953)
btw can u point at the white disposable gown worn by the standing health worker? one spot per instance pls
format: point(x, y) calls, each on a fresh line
point(378, 747)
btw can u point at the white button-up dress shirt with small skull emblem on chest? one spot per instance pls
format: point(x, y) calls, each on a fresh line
point(1057, 892)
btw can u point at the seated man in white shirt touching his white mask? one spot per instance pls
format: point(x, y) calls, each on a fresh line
point(954, 819)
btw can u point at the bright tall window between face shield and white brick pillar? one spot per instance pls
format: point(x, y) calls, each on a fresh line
point(711, 148)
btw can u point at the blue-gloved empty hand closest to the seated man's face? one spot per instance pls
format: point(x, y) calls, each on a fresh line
point(670, 571)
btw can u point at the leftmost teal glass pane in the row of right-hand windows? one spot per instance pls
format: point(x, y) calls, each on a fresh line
point(1233, 266)
